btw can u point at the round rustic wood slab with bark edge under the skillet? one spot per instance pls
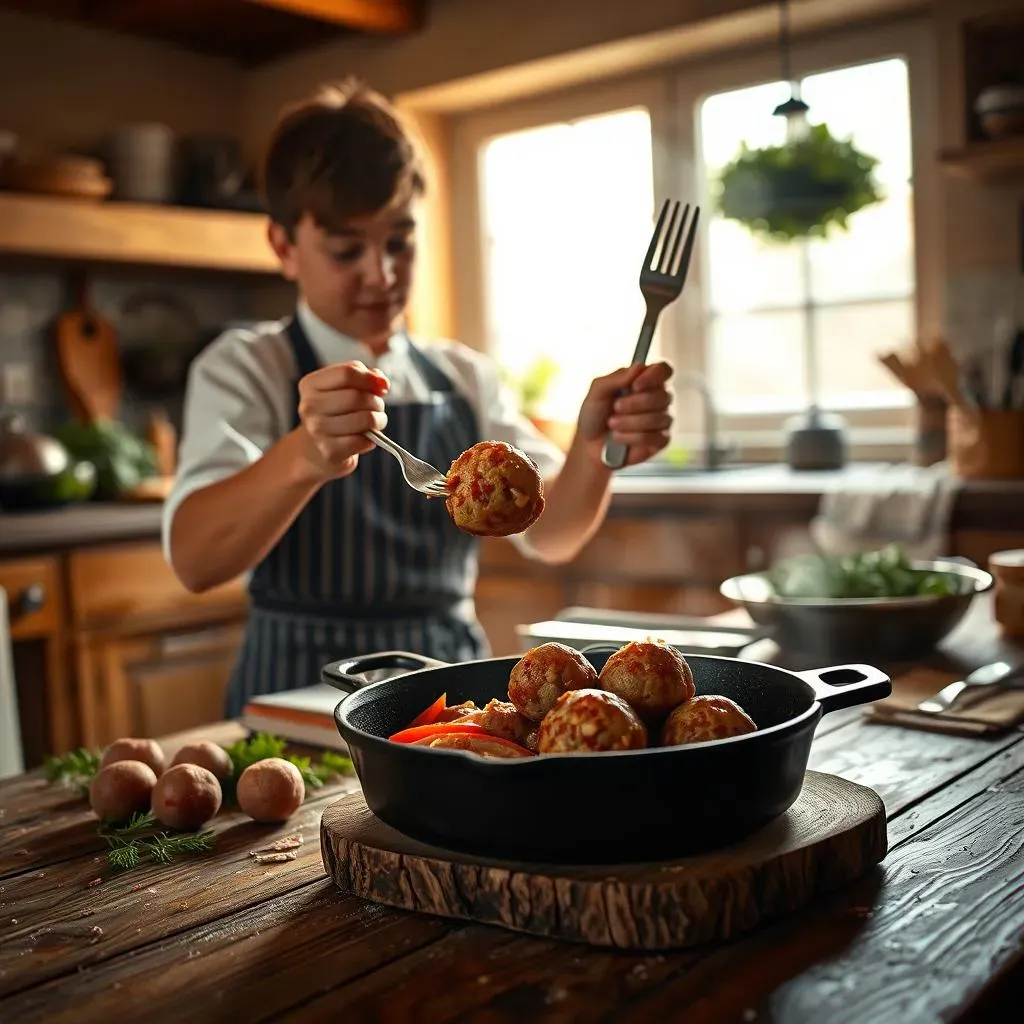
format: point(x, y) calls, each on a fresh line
point(833, 835)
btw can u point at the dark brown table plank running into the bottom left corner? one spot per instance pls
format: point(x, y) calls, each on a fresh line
point(251, 965)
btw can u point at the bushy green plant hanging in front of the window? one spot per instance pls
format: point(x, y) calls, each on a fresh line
point(800, 189)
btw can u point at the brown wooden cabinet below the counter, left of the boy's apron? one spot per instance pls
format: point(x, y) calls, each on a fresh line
point(108, 644)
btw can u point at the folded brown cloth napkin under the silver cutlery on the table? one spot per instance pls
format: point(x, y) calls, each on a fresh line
point(996, 714)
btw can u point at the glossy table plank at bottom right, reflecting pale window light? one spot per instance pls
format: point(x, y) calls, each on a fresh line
point(920, 943)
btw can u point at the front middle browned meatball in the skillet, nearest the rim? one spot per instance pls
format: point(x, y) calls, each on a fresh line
point(585, 721)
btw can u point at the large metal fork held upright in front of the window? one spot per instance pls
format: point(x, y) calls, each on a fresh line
point(661, 284)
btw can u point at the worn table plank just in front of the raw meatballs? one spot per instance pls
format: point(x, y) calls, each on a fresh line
point(49, 917)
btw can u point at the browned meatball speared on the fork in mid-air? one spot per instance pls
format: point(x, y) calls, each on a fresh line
point(494, 490)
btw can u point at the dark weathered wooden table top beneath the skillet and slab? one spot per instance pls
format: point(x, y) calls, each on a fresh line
point(935, 933)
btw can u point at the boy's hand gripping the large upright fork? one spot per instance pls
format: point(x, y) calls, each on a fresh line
point(642, 420)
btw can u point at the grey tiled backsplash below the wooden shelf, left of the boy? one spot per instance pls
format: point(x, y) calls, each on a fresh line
point(30, 304)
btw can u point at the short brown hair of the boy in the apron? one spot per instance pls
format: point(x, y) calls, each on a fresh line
point(343, 153)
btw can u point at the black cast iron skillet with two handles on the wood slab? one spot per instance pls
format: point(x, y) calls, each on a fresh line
point(587, 808)
